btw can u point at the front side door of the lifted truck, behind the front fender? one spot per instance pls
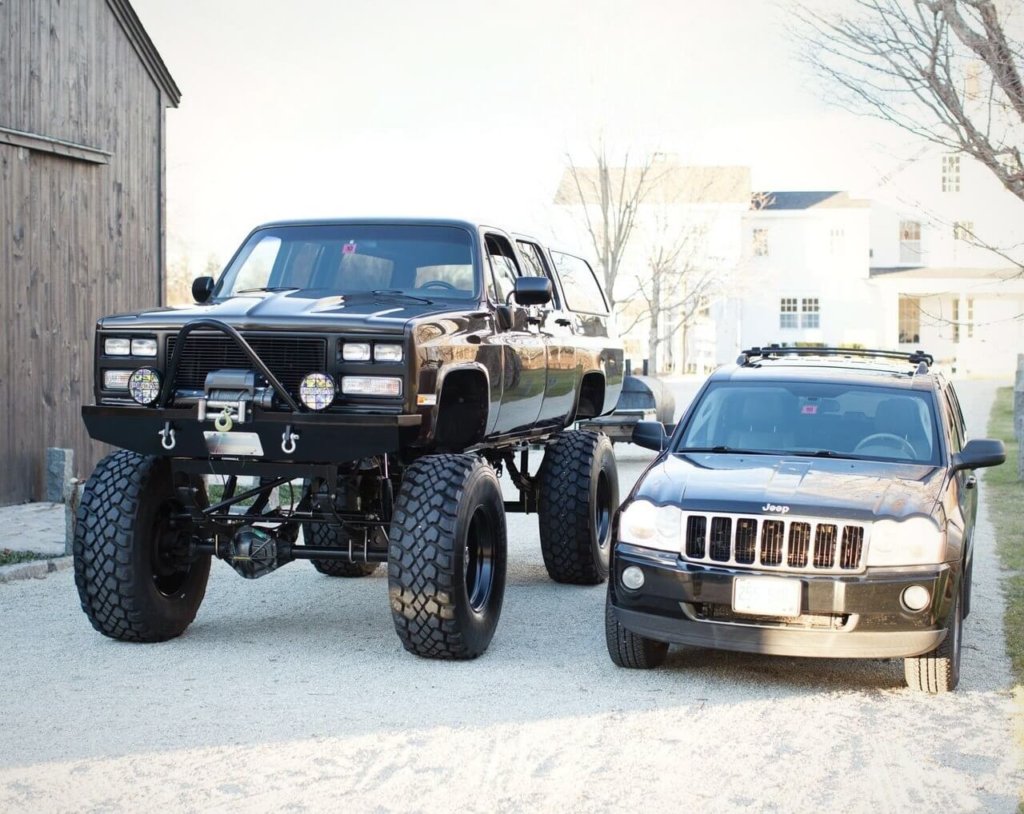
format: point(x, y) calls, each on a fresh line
point(524, 352)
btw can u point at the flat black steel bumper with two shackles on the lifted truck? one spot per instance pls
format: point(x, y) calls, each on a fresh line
point(318, 438)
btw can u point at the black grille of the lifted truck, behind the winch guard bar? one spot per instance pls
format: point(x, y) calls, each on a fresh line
point(289, 359)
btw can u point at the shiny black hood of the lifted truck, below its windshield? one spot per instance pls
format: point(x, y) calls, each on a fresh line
point(292, 311)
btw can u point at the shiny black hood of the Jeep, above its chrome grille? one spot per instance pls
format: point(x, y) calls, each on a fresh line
point(766, 485)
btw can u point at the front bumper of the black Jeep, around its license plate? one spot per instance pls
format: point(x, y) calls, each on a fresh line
point(861, 616)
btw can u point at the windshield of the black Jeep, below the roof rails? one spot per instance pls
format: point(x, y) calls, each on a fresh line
point(814, 419)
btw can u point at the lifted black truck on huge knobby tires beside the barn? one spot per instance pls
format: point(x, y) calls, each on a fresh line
point(375, 377)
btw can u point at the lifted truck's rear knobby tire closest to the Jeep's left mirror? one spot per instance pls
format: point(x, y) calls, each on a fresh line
point(579, 495)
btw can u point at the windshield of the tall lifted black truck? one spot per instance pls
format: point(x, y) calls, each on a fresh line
point(374, 261)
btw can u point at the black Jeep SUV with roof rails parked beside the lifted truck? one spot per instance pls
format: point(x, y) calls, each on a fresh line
point(813, 502)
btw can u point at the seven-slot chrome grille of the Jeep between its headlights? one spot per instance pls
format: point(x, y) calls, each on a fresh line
point(798, 545)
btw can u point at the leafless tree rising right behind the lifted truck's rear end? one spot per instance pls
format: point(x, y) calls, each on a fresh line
point(609, 199)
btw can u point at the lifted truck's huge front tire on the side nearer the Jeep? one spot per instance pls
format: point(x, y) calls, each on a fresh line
point(447, 558)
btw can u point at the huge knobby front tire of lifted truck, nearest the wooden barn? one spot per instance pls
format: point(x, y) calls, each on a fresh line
point(136, 579)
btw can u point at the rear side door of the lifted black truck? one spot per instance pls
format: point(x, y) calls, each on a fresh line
point(557, 328)
